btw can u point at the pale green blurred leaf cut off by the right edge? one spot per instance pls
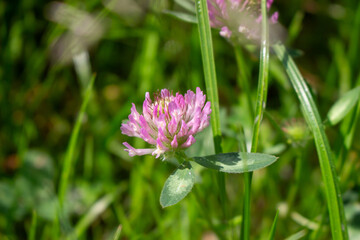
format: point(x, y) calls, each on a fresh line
point(343, 106)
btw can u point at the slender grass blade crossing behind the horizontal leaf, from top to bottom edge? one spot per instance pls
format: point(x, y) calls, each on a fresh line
point(259, 112)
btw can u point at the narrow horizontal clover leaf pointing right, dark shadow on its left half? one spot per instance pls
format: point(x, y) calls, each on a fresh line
point(236, 162)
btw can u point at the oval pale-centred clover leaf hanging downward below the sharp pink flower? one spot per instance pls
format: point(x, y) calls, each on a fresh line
point(178, 185)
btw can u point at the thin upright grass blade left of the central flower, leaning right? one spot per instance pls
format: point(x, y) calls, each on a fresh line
point(67, 166)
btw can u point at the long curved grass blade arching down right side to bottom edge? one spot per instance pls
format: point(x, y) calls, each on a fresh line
point(311, 113)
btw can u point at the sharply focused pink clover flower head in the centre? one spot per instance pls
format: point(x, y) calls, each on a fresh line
point(169, 123)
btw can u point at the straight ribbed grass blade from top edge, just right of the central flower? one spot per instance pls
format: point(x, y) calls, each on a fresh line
point(211, 86)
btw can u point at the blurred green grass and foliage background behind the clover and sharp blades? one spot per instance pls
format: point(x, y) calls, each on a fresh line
point(48, 52)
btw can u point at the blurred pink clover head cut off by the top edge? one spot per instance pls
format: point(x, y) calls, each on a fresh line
point(239, 18)
